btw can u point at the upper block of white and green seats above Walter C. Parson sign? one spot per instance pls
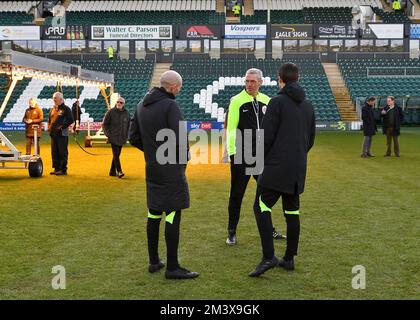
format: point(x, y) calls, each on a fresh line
point(144, 12)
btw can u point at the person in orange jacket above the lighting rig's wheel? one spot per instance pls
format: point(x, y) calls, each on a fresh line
point(33, 117)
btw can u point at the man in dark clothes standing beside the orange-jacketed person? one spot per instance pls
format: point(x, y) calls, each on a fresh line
point(59, 120)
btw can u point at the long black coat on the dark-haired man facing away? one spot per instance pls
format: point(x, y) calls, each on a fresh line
point(289, 134)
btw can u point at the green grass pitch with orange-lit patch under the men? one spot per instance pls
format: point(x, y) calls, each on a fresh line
point(354, 212)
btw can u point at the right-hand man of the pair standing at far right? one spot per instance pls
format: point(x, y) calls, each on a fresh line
point(392, 116)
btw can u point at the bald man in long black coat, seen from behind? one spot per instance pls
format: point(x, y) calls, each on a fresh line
point(158, 114)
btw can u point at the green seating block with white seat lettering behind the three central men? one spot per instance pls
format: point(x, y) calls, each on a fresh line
point(205, 78)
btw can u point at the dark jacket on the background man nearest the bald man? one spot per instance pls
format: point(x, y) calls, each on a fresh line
point(116, 124)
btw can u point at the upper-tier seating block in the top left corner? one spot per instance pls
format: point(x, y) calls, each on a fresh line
point(15, 12)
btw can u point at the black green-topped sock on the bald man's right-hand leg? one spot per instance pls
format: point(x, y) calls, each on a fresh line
point(172, 241)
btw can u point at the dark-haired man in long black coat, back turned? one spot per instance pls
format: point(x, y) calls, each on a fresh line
point(289, 134)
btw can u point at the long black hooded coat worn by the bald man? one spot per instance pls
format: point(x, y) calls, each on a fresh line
point(167, 187)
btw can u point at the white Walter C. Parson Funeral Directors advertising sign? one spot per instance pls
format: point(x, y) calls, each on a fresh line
point(132, 32)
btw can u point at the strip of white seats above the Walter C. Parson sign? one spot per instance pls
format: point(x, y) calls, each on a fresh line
point(185, 5)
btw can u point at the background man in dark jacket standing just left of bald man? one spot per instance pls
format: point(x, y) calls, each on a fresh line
point(116, 124)
